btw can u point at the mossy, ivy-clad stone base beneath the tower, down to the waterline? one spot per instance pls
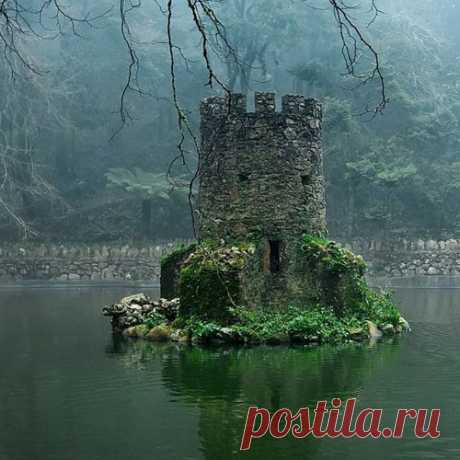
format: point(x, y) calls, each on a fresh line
point(322, 294)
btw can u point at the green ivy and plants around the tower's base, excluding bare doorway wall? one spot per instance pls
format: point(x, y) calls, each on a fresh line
point(210, 293)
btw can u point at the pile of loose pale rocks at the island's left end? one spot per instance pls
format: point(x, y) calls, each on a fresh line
point(136, 309)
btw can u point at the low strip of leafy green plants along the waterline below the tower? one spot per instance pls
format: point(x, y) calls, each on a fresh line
point(317, 324)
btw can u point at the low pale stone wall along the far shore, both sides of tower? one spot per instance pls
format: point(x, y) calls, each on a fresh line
point(130, 262)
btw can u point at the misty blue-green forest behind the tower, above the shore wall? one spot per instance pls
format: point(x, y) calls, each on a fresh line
point(92, 95)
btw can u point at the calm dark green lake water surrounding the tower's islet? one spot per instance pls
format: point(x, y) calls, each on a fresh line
point(69, 390)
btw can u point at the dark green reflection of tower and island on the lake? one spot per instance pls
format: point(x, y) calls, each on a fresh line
point(223, 383)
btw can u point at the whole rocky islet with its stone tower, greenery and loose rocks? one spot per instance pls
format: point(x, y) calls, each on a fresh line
point(262, 270)
